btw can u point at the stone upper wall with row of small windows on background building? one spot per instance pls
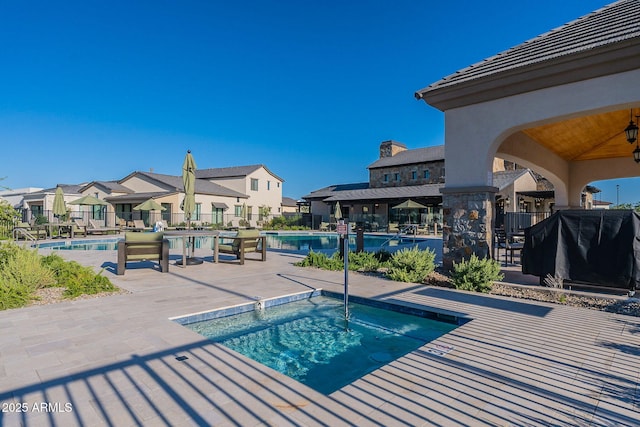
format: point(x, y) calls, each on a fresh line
point(436, 175)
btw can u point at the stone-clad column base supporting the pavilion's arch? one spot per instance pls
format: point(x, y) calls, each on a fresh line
point(468, 223)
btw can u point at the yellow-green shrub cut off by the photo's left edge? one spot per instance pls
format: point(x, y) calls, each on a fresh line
point(21, 274)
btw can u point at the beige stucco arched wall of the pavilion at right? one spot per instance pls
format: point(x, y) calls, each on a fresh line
point(495, 124)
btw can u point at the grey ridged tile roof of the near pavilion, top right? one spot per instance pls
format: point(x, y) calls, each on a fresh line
point(615, 23)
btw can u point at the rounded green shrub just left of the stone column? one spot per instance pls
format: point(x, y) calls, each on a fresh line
point(411, 265)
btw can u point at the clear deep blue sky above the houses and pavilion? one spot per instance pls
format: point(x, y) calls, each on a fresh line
point(94, 90)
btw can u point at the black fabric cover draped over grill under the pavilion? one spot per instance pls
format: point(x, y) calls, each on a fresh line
point(600, 247)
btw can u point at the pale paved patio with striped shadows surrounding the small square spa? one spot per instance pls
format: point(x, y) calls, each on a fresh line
point(113, 361)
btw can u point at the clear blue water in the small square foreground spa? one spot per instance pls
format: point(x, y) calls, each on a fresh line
point(309, 340)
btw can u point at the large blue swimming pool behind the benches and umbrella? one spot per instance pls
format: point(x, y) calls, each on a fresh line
point(290, 242)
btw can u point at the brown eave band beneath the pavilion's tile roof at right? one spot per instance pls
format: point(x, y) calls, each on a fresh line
point(607, 60)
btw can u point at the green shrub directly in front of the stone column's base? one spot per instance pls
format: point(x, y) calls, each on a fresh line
point(476, 274)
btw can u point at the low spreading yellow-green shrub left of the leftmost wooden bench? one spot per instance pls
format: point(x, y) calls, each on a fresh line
point(77, 279)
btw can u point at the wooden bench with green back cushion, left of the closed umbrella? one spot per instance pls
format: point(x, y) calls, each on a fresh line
point(143, 246)
